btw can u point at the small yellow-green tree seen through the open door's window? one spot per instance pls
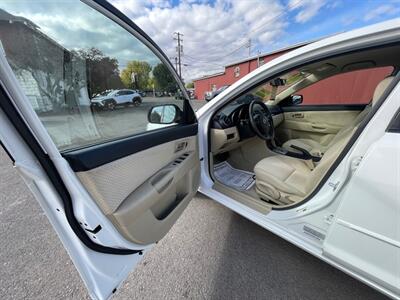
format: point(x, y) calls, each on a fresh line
point(136, 75)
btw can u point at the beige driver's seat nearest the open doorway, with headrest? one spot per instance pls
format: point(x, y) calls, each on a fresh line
point(286, 180)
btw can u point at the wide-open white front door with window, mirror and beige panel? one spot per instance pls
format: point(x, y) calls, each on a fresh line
point(111, 178)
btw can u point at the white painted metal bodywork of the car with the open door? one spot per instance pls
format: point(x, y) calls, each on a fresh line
point(103, 272)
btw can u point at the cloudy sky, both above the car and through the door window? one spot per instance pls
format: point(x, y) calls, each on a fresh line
point(215, 32)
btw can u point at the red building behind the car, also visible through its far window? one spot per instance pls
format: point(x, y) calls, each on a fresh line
point(355, 87)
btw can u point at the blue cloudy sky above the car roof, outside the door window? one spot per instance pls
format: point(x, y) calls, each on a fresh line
point(216, 33)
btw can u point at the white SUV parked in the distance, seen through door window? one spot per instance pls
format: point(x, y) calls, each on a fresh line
point(110, 99)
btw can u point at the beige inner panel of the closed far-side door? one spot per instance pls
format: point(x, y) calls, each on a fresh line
point(319, 123)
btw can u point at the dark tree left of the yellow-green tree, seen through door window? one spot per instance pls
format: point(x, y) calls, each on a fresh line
point(102, 71)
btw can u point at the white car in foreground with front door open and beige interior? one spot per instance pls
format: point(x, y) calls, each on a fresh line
point(324, 177)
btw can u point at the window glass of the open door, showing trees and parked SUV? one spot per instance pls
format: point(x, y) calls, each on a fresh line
point(87, 78)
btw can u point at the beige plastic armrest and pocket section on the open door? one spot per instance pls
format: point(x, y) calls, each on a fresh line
point(150, 211)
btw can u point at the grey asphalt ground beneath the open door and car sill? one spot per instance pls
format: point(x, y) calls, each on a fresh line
point(211, 253)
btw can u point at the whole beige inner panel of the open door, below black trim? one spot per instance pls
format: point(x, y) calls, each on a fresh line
point(143, 194)
